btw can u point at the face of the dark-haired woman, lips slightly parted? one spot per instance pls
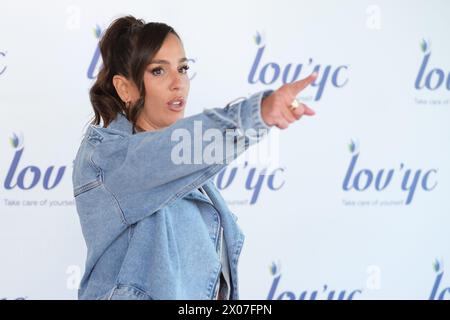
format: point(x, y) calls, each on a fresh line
point(166, 84)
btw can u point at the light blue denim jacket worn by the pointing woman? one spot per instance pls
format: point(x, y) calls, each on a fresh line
point(150, 233)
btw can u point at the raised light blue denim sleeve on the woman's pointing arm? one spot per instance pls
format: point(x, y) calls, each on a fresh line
point(139, 170)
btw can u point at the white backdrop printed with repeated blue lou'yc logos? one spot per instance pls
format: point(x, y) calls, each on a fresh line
point(323, 223)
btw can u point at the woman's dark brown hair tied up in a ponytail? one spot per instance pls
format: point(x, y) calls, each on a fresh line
point(127, 47)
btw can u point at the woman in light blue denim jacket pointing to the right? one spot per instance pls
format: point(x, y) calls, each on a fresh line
point(155, 228)
